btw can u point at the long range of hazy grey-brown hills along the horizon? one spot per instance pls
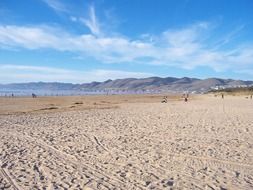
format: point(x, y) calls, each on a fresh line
point(151, 84)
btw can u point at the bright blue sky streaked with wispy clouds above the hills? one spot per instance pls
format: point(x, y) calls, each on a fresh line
point(83, 40)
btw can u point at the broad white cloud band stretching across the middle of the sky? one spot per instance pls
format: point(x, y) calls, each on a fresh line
point(185, 48)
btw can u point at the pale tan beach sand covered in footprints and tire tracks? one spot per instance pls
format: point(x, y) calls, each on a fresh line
point(126, 143)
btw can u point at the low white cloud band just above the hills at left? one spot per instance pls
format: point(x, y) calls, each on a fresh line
point(25, 73)
